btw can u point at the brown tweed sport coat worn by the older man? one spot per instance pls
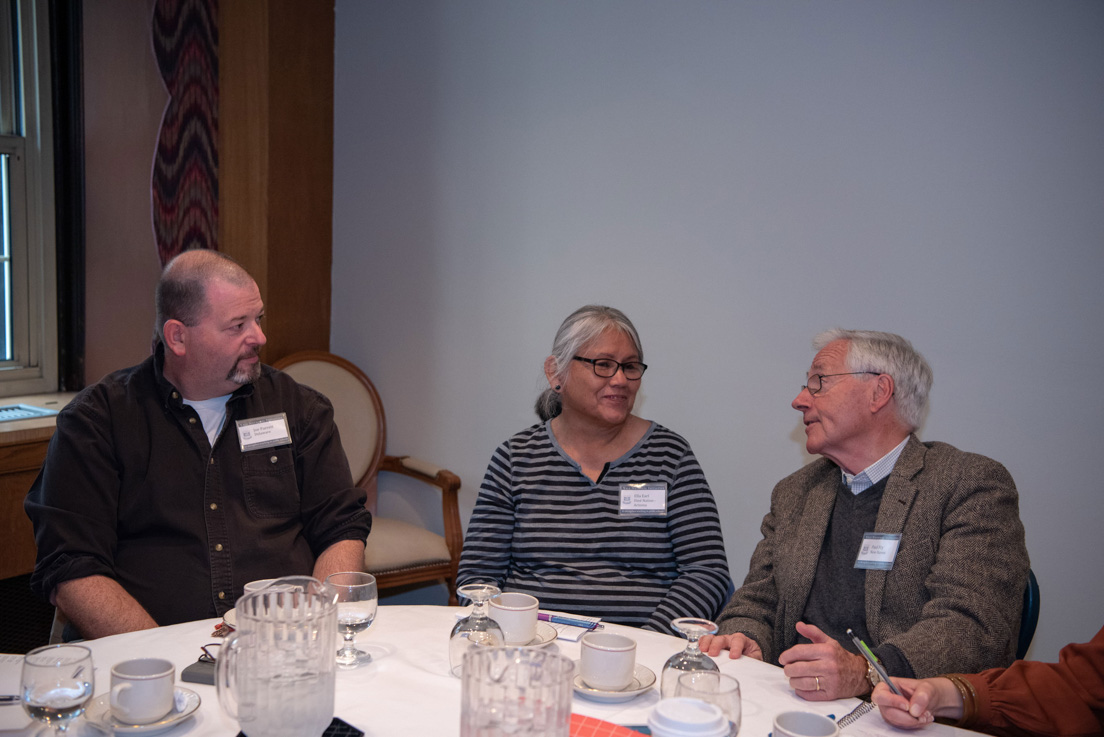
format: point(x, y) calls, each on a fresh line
point(951, 603)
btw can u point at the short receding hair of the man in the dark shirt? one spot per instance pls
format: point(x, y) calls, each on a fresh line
point(182, 292)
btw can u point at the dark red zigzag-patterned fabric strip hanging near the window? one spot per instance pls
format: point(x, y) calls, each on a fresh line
point(186, 167)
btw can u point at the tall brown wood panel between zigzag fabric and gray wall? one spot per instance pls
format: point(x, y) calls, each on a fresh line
point(277, 162)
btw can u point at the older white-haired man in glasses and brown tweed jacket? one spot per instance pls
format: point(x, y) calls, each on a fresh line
point(917, 547)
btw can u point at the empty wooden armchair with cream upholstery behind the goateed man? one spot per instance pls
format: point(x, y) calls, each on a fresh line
point(397, 553)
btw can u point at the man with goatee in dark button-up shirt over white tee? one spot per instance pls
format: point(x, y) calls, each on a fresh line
point(171, 485)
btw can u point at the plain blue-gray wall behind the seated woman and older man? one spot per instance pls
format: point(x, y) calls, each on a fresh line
point(736, 177)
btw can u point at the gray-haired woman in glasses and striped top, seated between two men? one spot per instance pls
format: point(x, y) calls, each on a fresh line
point(595, 510)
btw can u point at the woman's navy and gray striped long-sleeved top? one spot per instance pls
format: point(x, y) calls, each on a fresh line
point(543, 528)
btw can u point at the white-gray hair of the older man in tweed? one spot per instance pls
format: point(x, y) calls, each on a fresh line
point(888, 354)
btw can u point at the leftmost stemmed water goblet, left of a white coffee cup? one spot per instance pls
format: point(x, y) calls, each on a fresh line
point(57, 685)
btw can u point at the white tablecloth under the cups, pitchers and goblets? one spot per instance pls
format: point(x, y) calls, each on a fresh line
point(407, 691)
